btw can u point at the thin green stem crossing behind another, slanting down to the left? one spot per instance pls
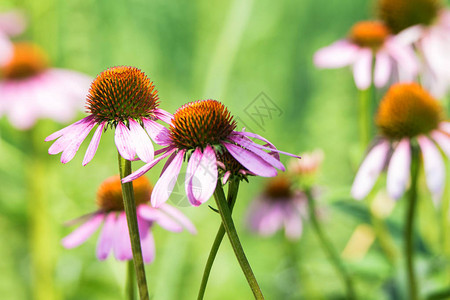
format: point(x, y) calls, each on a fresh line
point(233, 188)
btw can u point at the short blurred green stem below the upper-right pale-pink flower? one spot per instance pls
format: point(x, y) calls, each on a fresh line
point(365, 113)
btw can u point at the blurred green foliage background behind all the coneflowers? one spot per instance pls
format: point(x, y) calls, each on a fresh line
point(225, 50)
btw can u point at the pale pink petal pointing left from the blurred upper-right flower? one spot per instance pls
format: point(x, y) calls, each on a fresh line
point(337, 55)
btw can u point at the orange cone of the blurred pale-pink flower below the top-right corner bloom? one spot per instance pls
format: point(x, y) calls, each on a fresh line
point(371, 34)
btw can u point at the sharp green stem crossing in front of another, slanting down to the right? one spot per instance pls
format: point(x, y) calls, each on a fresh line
point(228, 223)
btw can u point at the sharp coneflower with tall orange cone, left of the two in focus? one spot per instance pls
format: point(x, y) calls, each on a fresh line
point(122, 98)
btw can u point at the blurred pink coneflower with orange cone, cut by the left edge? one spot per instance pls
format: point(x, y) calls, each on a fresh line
point(31, 90)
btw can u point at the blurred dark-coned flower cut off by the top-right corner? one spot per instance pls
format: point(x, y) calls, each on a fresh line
point(426, 25)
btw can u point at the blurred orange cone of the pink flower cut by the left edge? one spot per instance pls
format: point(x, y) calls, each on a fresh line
point(28, 60)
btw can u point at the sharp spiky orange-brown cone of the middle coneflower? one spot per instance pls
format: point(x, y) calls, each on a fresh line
point(200, 123)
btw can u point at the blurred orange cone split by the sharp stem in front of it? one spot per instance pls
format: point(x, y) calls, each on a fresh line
point(109, 194)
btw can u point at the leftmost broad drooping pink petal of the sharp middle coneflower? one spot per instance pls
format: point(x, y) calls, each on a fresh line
point(167, 181)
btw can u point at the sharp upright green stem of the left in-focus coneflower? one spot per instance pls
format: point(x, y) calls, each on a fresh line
point(129, 204)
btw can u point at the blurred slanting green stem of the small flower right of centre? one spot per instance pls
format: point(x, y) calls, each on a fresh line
point(329, 249)
